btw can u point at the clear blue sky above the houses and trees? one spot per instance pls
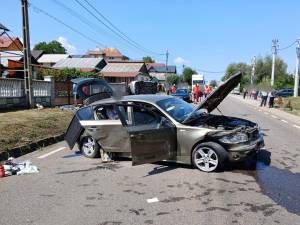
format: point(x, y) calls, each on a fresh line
point(203, 34)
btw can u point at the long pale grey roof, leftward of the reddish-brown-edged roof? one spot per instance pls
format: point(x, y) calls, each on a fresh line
point(78, 63)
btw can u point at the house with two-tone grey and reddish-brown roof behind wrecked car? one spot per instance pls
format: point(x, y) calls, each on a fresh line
point(124, 71)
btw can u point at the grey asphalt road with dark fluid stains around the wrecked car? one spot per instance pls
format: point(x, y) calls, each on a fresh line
point(71, 189)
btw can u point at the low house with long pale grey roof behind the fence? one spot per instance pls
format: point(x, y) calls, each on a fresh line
point(82, 64)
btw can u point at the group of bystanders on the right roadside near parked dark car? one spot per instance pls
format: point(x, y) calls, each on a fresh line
point(264, 95)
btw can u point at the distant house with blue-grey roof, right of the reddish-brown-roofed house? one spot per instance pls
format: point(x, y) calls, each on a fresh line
point(160, 71)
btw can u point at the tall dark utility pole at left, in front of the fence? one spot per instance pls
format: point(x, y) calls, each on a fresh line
point(27, 55)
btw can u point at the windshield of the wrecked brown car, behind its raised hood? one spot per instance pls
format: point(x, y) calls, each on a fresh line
point(176, 108)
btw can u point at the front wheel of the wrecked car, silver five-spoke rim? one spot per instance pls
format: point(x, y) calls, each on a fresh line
point(209, 157)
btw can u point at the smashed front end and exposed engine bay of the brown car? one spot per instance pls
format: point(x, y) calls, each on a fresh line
point(241, 138)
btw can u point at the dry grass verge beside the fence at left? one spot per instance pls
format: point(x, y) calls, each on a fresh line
point(26, 126)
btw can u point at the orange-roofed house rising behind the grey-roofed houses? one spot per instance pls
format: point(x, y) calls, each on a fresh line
point(108, 54)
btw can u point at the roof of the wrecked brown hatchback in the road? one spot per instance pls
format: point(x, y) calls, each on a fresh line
point(138, 98)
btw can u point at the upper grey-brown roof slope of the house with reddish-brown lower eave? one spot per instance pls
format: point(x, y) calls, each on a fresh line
point(123, 67)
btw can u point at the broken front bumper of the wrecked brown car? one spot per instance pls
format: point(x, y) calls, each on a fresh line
point(240, 152)
